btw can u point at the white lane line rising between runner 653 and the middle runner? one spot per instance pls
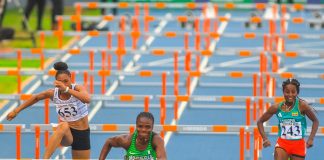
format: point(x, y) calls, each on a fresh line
point(115, 84)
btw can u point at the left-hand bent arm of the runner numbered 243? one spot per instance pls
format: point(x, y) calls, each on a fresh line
point(265, 117)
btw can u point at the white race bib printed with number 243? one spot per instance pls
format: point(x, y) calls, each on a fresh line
point(291, 129)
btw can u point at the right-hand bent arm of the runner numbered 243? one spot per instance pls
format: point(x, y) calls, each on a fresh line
point(308, 111)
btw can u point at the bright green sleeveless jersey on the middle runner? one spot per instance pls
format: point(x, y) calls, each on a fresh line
point(134, 154)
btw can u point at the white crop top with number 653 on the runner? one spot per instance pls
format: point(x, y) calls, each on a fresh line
point(69, 110)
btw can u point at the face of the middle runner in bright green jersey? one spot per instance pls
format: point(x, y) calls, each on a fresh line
point(144, 127)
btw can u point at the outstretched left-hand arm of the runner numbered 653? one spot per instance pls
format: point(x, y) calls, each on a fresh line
point(32, 100)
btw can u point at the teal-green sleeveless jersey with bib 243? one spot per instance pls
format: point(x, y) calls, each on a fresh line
point(292, 125)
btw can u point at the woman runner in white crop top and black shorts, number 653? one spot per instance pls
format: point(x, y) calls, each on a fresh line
point(71, 105)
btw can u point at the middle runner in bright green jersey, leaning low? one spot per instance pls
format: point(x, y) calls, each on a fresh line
point(143, 144)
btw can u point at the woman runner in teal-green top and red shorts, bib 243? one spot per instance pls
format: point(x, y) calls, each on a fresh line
point(292, 124)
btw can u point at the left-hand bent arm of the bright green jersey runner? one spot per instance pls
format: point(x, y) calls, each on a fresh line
point(117, 141)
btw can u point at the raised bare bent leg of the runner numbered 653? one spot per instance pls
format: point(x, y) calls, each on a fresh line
point(62, 136)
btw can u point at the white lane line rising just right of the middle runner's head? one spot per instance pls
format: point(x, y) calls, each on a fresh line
point(195, 80)
